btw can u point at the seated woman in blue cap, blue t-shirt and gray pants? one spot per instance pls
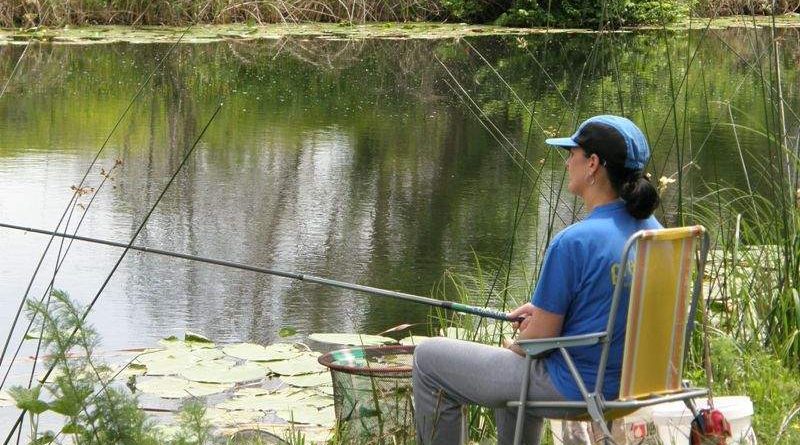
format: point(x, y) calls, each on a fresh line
point(607, 156)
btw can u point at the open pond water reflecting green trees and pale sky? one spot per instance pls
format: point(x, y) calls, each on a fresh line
point(378, 162)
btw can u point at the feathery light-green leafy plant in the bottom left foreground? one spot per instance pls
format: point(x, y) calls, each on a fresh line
point(81, 390)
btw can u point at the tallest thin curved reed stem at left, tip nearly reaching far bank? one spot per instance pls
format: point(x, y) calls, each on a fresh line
point(70, 204)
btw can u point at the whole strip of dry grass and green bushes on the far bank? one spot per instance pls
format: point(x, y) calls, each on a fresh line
point(540, 13)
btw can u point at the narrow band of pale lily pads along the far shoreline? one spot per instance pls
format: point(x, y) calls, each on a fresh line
point(105, 34)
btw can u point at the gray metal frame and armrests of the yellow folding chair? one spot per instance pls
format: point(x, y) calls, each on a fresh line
point(594, 403)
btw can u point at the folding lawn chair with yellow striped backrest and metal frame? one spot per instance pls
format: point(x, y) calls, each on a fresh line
point(659, 327)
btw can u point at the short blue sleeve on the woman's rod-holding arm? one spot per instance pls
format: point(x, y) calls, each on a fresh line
point(555, 288)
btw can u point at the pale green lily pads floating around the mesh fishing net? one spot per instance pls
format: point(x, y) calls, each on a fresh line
point(275, 389)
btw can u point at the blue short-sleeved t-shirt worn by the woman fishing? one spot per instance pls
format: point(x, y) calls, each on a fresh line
point(577, 281)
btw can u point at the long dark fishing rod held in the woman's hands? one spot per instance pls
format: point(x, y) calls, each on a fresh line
point(448, 305)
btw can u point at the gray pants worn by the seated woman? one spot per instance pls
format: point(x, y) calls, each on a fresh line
point(449, 374)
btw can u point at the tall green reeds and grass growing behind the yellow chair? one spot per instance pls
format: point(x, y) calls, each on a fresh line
point(753, 275)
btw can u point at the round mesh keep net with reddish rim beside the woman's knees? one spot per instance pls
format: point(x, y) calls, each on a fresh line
point(372, 393)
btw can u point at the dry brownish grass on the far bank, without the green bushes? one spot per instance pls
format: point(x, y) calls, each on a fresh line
point(30, 13)
